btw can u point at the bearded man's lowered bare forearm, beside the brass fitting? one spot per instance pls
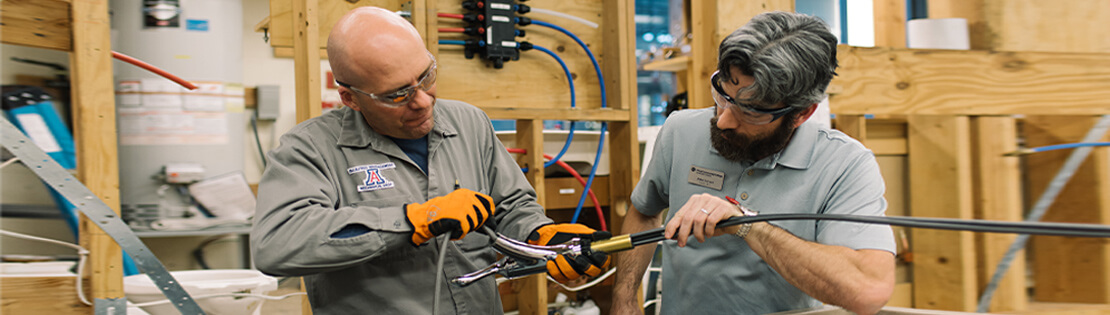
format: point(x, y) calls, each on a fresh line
point(631, 265)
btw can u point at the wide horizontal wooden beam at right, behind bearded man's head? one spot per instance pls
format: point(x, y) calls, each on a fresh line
point(905, 82)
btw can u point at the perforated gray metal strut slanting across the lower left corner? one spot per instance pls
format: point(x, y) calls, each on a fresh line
point(98, 212)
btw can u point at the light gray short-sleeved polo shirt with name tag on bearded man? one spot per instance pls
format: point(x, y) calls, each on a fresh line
point(821, 171)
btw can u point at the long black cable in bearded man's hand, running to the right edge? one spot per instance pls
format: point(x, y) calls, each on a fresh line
point(939, 223)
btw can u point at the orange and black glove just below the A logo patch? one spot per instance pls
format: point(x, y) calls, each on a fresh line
point(459, 212)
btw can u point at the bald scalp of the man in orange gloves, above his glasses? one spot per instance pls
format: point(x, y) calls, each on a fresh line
point(370, 43)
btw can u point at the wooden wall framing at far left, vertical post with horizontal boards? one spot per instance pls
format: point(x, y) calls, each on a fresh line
point(82, 28)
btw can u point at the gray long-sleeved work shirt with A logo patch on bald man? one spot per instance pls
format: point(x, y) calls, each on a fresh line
point(334, 171)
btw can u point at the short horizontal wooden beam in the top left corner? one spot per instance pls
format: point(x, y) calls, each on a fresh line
point(39, 24)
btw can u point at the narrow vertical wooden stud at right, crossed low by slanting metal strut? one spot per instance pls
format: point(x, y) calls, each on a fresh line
point(997, 188)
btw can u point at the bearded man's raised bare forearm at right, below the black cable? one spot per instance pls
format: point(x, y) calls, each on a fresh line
point(859, 281)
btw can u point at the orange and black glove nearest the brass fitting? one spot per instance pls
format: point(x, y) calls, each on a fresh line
point(566, 269)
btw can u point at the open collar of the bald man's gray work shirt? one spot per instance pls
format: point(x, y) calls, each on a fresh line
point(357, 133)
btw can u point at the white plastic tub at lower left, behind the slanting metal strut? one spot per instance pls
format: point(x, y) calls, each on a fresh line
point(140, 289)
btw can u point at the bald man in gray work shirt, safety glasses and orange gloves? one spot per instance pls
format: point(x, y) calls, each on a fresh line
point(354, 200)
